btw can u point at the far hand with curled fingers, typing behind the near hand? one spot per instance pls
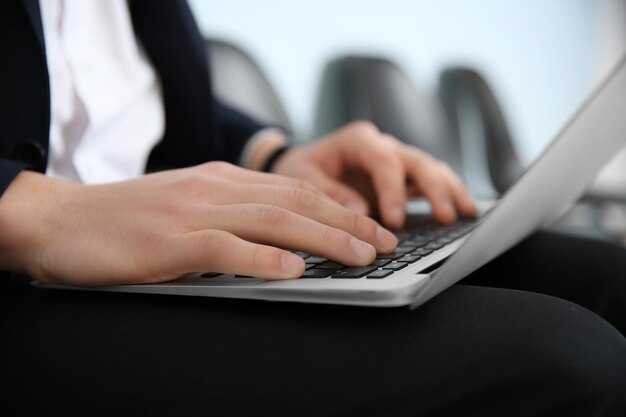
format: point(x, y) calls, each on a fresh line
point(364, 169)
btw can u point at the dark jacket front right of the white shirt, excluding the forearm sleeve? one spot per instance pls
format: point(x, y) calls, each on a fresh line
point(177, 51)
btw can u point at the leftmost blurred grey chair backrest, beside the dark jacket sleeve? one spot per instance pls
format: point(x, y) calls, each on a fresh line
point(239, 81)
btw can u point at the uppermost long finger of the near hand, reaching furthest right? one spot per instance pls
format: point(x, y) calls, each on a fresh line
point(310, 205)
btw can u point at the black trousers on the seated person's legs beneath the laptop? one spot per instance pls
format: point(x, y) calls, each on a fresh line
point(523, 336)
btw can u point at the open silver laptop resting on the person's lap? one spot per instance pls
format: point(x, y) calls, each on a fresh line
point(431, 258)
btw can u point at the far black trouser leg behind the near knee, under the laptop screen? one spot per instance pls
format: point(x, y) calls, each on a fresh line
point(588, 272)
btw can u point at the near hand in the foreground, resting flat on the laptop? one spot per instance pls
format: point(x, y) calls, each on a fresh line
point(213, 217)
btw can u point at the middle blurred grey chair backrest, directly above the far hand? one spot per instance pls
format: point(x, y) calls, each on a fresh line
point(378, 90)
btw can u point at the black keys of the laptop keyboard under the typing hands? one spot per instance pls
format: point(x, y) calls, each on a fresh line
point(420, 237)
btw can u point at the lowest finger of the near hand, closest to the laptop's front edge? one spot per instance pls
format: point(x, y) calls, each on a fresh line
point(220, 251)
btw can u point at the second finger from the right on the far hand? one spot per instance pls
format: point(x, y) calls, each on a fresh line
point(426, 173)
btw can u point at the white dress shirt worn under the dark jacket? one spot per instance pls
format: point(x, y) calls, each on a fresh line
point(106, 106)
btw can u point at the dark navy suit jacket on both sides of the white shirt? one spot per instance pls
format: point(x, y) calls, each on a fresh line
point(198, 128)
